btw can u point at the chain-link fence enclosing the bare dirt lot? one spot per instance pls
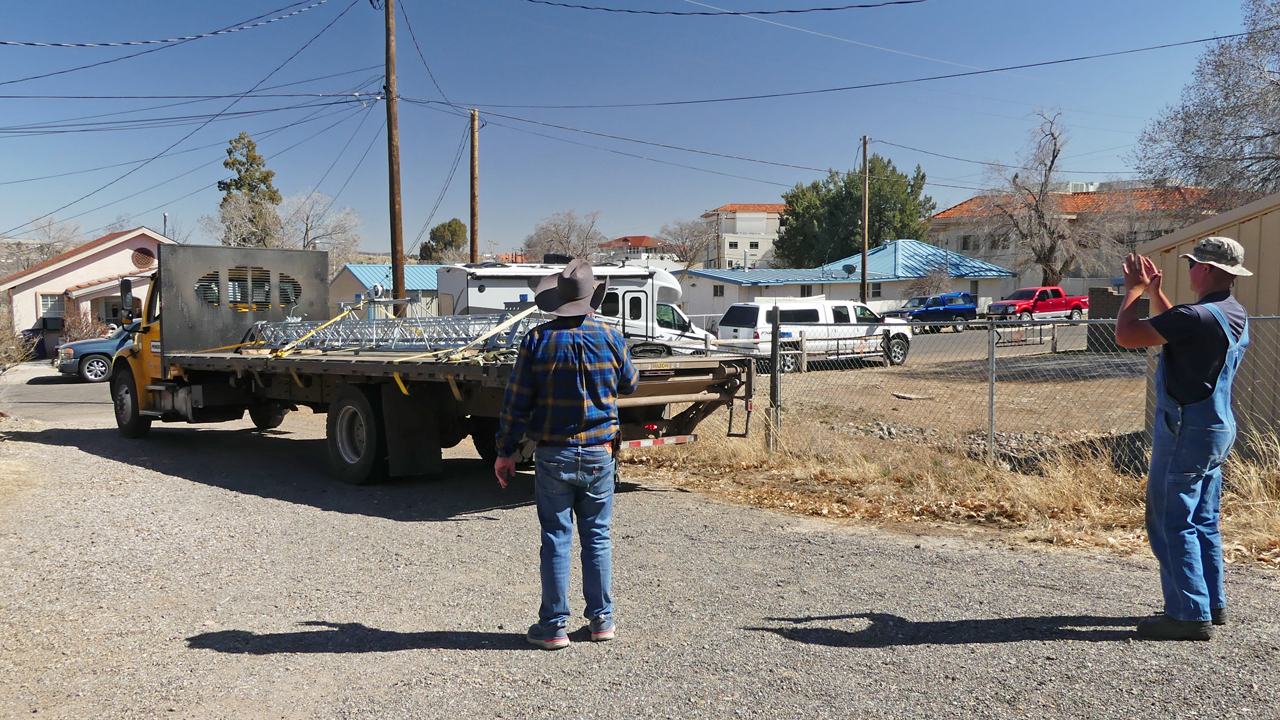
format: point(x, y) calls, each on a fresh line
point(1008, 393)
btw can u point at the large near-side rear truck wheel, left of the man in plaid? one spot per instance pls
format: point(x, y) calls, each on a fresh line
point(358, 449)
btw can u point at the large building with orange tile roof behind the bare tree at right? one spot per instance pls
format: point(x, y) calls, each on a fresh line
point(1136, 213)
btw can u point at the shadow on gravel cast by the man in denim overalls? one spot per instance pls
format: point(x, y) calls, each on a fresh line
point(888, 631)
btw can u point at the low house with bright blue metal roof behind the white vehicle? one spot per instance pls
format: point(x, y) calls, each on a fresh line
point(890, 270)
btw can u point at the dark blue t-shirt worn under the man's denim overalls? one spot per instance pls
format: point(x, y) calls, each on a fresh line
point(1196, 347)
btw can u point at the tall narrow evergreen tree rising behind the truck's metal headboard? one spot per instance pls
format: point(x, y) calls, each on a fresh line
point(248, 212)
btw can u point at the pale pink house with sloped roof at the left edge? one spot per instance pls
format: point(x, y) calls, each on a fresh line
point(83, 280)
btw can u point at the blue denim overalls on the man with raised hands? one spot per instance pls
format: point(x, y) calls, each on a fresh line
point(1185, 487)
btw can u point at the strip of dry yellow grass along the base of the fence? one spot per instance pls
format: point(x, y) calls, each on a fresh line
point(1073, 496)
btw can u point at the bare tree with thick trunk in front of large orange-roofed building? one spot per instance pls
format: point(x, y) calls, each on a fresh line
point(1026, 211)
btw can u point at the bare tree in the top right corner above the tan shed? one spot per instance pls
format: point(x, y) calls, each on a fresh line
point(1224, 133)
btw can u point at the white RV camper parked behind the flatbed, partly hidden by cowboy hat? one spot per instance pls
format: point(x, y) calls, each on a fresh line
point(639, 302)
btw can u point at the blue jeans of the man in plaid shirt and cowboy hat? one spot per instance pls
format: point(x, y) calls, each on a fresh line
point(575, 481)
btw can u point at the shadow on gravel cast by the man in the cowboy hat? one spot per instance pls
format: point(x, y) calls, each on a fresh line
point(351, 637)
